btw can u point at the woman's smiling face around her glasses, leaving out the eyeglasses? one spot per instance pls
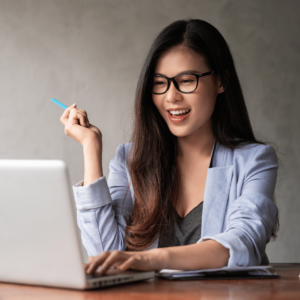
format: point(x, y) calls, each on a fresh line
point(199, 104)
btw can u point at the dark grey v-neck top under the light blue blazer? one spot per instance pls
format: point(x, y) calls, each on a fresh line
point(186, 230)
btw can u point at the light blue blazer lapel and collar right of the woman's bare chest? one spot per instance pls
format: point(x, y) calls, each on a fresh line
point(218, 182)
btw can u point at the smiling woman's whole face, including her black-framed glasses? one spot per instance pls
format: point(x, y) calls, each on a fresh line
point(193, 92)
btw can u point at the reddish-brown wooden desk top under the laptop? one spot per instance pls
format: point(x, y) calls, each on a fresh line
point(288, 287)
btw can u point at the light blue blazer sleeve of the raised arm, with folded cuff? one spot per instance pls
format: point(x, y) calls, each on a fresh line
point(102, 206)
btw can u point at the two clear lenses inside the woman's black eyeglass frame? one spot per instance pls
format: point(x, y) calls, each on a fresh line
point(185, 83)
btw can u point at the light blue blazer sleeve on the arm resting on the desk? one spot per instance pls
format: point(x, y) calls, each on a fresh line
point(252, 217)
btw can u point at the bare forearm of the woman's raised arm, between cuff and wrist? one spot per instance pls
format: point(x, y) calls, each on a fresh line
point(92, 153)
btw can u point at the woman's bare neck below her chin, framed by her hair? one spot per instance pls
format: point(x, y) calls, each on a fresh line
point(196, 145)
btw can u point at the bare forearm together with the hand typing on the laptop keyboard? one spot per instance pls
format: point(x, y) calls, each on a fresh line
point(204, 255)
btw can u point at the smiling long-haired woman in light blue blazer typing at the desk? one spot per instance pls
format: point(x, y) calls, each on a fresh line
point(194, 187)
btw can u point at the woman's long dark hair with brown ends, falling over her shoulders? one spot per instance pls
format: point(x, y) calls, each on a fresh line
point(152, 159)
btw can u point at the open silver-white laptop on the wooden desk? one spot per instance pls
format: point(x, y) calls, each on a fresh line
point(39, 238)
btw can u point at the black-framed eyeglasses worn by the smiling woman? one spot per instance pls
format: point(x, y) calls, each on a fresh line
point(184, 83)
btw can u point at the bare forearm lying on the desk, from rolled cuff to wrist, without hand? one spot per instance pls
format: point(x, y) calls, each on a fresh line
point(204, 255)
